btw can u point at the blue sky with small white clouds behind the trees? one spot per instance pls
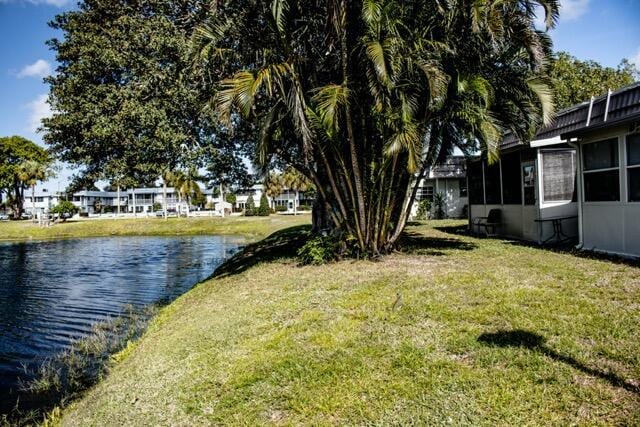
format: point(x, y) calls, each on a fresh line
point(602, 30)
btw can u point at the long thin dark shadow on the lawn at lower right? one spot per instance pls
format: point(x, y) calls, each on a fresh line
point(534, 342)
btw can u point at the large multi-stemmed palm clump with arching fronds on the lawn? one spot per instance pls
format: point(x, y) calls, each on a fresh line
point(363, 96)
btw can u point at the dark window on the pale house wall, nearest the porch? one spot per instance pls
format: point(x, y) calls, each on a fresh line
point(601, 171)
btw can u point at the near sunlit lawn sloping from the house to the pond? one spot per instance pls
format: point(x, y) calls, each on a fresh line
point(453, 330)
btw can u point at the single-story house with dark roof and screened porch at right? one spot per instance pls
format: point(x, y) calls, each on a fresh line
point(579, 177)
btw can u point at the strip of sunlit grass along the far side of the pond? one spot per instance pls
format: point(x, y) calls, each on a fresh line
point(249, 226)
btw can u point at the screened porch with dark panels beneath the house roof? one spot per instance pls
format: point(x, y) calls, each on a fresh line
point(533, 188)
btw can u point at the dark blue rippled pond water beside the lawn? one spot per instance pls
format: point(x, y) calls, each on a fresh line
point(52, 292)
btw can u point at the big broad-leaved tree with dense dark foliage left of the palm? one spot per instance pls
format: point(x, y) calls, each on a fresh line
point(126, 98)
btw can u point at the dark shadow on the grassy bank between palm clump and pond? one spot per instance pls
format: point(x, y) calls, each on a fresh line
point(281, 244)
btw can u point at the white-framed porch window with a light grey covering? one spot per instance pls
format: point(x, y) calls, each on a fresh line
point(559, 175)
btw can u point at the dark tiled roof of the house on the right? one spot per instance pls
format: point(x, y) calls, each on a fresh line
point(623, 106)
